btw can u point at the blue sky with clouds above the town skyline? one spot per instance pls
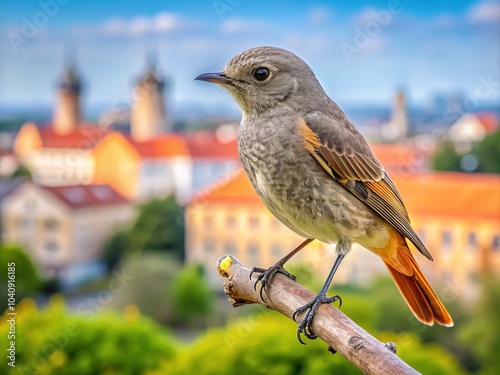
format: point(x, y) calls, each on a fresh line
point(361, 51)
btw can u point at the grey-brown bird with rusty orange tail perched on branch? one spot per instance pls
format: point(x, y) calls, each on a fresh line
point(316, 173)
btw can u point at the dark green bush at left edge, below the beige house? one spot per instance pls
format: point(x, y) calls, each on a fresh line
point(26, 278)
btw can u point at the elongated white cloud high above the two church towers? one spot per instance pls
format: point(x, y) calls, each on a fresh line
point(160, 23)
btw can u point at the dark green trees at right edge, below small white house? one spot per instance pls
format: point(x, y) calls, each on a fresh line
point(486, 151)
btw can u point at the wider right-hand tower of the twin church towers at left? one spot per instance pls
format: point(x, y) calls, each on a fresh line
point(148, 117)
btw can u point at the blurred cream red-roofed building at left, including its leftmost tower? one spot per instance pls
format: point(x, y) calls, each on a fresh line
point(61, 153)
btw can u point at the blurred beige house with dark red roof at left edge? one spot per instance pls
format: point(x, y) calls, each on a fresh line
point(64, 228)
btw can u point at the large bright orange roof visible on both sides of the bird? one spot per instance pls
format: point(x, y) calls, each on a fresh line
point(434, 194)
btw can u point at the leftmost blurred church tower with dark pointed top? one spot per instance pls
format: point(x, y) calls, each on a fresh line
point(67, 113)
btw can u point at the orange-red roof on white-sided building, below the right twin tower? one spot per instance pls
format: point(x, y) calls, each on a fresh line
point(166, 145)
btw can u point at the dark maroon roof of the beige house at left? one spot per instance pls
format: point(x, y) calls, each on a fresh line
point(82, 196)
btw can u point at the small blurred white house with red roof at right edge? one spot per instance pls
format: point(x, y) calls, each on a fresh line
point(471, 128)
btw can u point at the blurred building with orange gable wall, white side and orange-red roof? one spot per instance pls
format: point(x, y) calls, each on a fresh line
point(143, 170)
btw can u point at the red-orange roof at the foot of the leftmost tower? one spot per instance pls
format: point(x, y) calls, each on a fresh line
point(82, 137)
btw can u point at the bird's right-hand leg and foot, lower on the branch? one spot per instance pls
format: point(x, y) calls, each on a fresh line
point(305, 326)
